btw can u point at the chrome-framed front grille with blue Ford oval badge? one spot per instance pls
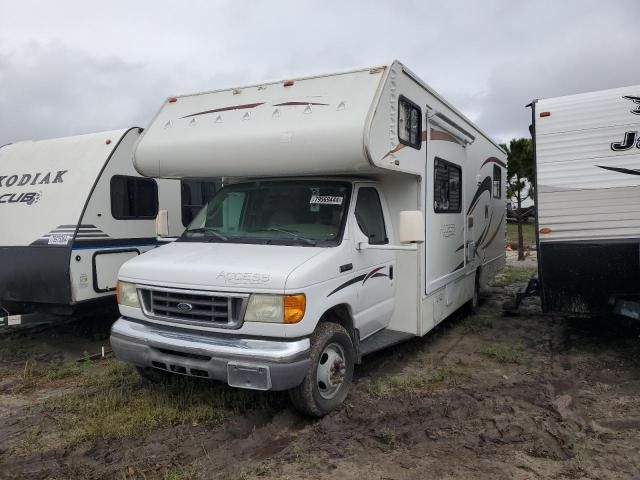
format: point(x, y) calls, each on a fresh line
point(199, 308)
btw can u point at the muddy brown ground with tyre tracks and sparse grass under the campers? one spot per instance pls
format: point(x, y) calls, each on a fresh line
point(484, 397)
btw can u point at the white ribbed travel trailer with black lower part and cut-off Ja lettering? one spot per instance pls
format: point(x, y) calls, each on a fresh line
point(587, 155)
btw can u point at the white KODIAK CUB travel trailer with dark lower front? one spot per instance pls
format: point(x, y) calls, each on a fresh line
point(72, 211)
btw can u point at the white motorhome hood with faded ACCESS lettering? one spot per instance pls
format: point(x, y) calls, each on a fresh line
point(237, 267)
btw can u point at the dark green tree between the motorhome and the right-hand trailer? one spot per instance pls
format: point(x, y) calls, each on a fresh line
point(520, 180)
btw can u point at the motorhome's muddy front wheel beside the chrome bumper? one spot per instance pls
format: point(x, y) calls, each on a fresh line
point(330, 372)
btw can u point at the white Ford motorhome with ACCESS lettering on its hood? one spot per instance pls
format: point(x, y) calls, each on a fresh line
point(364, 210)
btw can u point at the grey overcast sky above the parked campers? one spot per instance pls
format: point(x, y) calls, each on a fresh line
point(71, 67)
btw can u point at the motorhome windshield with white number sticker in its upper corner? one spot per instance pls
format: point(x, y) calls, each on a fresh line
point(304, 212)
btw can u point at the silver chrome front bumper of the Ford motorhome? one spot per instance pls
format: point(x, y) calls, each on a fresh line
point(241, 362)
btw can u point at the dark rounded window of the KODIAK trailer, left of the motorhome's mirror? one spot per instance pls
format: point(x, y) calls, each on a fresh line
point(133, 198)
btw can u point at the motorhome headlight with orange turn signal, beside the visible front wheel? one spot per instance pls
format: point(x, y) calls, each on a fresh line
point(275, 308)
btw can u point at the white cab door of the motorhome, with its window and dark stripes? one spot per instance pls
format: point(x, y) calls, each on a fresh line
point(373, 268)
